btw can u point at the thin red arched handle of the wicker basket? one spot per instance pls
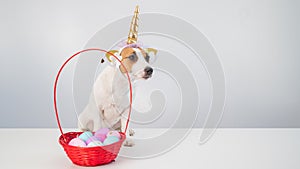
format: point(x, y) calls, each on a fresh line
point(62, 67)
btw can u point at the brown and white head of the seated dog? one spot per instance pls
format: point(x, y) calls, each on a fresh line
point(135, 60)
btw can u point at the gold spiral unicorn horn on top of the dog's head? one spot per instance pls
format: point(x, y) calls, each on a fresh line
point(132, 36)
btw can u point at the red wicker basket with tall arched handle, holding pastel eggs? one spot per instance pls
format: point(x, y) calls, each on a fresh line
point(90, 156)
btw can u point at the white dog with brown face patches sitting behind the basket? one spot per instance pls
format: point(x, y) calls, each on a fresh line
point(108, 105)
